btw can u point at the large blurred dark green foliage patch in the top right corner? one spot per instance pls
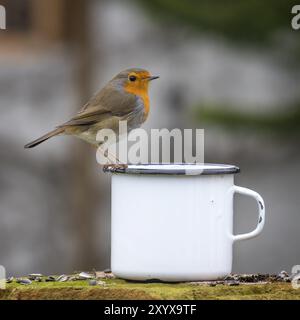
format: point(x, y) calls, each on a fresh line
point(240, 20)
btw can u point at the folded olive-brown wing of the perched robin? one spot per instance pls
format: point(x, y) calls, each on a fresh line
point(105, 104)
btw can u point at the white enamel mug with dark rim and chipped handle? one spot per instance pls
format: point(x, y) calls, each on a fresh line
point(175, 222)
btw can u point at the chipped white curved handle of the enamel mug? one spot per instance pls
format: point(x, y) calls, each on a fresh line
point(261, 213)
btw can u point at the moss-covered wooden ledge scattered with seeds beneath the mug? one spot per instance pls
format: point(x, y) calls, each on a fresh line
point(120, 289)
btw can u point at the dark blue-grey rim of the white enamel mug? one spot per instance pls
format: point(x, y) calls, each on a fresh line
point(174, 169)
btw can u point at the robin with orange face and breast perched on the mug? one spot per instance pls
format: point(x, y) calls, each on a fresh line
point(124, 98)
